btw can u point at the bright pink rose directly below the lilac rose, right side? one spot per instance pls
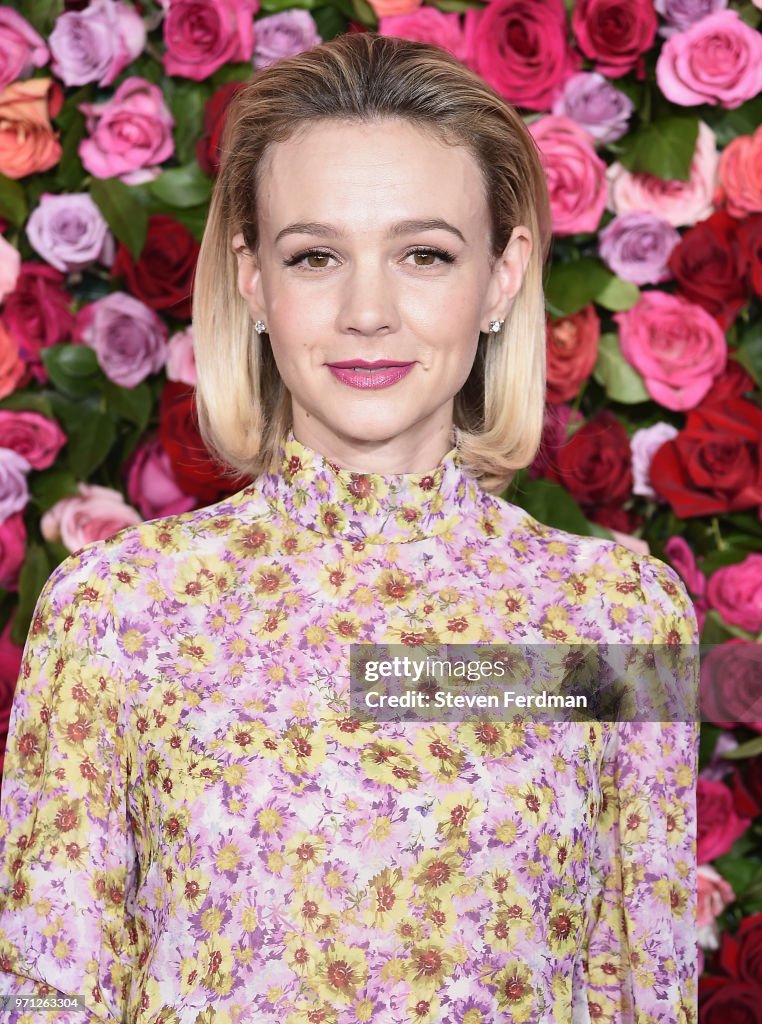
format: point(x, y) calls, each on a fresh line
point(676, 346)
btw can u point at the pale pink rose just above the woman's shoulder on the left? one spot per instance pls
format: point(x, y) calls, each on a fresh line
point(96, 516)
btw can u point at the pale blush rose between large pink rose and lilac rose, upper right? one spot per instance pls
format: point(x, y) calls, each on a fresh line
point(680, 203)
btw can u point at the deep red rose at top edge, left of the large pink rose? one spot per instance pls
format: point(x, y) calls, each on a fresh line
point(615, 33)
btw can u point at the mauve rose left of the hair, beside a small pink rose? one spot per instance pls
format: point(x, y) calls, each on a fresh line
point(130, 339)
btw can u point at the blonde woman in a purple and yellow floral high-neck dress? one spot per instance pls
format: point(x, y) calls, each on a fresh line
point(196, 828)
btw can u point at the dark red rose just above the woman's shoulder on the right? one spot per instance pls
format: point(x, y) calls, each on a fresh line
point(596, 465)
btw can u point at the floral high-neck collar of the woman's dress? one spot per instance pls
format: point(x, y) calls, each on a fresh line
point(374, 508)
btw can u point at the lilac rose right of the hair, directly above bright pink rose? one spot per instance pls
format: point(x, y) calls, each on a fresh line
point(637, 247)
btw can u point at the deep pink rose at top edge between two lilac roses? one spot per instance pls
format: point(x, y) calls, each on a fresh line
point(203, 35)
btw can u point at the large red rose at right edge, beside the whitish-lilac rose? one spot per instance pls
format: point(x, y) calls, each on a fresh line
point(714, 465)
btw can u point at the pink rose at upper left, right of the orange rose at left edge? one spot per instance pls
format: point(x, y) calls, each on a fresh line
point(131, 135)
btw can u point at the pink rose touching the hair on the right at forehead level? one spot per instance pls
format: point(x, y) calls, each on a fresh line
point(576, 175)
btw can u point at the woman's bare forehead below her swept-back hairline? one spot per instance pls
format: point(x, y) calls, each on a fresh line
point(364, 177)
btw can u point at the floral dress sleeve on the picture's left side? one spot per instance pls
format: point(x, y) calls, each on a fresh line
point(67, 857)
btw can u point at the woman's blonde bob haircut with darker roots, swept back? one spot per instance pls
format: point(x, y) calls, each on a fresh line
point(243, 406)
